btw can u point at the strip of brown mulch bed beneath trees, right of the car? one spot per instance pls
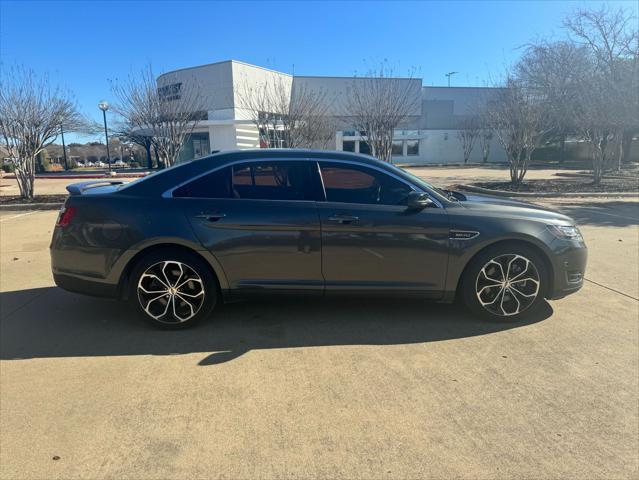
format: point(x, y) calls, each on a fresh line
point(565, 186)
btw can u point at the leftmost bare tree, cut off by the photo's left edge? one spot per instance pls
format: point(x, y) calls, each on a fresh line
point(32, 112)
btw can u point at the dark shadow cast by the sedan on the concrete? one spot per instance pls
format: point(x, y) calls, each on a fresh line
point(49, 322)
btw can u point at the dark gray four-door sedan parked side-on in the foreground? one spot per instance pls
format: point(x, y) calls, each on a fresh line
point(234, 224)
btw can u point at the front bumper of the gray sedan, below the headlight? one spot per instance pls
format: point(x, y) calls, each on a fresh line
point(569, 266)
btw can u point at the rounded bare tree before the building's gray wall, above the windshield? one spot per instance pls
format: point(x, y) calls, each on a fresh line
point(378, 103)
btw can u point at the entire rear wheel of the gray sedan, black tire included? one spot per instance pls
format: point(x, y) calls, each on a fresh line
point(181, 275)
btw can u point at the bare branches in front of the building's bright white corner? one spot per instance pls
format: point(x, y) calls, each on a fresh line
point(288, 114)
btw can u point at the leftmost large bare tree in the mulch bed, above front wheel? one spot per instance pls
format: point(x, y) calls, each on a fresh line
point(520, 123)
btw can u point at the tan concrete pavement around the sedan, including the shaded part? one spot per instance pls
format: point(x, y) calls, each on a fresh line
point(350, 389)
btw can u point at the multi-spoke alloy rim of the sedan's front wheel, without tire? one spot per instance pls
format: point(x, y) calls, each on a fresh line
point(507, 285)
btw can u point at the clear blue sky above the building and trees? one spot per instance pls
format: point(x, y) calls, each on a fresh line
point(83, 44)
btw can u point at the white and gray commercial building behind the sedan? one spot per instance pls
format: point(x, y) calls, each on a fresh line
point(428, 136)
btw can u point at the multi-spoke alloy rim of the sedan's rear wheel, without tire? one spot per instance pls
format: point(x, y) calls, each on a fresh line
point(170, 292)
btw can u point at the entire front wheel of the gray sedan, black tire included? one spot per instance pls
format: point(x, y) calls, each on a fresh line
point(515, 303)
